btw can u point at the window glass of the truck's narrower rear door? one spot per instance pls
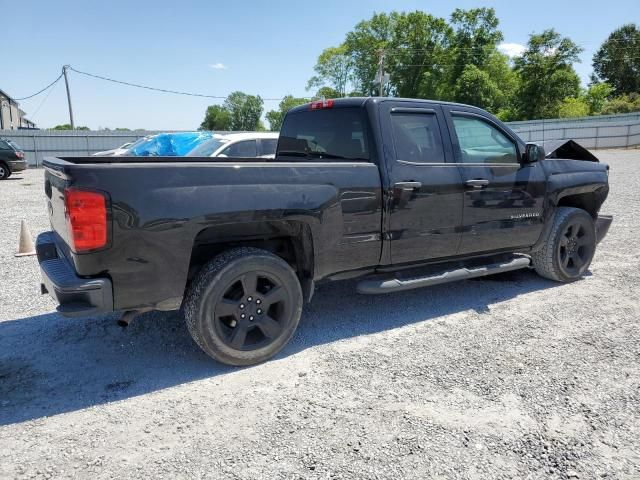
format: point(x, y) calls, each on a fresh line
point(417, 137)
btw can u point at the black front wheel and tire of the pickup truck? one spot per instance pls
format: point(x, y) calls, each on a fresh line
point(569, 249)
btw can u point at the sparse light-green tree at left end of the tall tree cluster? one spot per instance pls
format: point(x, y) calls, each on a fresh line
point(334, 68)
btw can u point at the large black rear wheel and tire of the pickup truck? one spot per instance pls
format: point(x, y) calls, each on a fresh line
point(244, 306)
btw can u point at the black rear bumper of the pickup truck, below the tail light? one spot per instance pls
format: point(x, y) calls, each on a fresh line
point(76, 296)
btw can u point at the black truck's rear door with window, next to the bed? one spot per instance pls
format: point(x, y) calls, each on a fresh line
point(425, 215)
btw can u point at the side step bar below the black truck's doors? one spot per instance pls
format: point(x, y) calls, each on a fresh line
point(388, 285)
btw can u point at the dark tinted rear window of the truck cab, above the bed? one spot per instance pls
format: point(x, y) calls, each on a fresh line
point(338, 134)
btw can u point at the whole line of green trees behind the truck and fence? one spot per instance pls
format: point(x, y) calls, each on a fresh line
point(459, 60)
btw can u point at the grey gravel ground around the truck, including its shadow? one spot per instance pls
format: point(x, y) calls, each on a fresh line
point(504, 377)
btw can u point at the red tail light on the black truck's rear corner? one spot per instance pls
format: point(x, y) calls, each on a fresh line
point(86, 214)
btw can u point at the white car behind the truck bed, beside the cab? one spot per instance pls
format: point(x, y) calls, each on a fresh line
point(247, 145)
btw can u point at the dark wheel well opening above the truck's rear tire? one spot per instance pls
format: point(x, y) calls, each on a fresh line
point(291, 241)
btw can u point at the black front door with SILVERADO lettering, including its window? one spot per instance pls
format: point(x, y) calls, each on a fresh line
point(503, 199)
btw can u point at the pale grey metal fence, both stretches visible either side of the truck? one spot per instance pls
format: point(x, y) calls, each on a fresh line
point(606, 131)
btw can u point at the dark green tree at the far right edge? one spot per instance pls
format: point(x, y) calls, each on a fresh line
point(617, 61)
